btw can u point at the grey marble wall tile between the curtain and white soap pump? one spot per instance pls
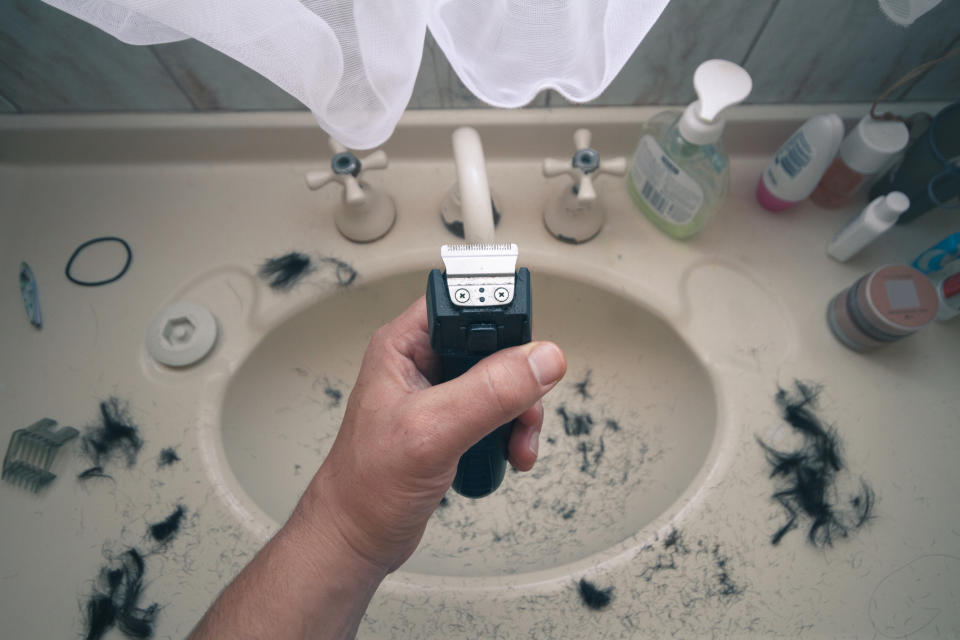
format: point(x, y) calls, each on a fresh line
point(688, 32)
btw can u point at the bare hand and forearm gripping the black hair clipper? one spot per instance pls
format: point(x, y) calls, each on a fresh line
point(367, 507)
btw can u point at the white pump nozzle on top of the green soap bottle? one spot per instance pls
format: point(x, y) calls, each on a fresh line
point(719, 84)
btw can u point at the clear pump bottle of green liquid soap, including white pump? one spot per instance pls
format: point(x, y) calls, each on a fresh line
point(680, 169)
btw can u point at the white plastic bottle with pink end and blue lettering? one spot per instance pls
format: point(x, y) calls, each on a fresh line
point(797, 166)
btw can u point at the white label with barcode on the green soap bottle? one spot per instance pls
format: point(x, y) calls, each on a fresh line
point(666, 188)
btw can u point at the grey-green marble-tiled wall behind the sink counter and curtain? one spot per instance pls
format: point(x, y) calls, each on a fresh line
point(796, 51)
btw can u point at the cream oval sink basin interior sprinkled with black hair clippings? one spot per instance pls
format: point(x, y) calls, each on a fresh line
point(624, 434)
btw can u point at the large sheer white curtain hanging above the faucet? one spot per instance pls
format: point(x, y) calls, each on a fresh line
point(354, 62)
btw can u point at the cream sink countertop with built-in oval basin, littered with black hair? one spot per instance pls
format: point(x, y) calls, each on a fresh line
point(727, 317)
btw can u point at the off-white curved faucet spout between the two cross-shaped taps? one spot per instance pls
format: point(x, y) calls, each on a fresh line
point(473, 186)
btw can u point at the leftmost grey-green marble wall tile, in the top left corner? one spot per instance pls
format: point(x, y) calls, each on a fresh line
point(51, 61)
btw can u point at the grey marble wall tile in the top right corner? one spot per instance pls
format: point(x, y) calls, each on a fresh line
point(829, 51)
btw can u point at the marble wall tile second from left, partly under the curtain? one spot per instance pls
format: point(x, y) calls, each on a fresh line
point(213, 80)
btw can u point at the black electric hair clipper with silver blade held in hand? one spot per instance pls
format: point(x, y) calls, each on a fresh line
point(479, 305)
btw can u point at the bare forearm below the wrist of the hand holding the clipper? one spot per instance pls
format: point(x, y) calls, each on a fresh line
point(305, 583)
